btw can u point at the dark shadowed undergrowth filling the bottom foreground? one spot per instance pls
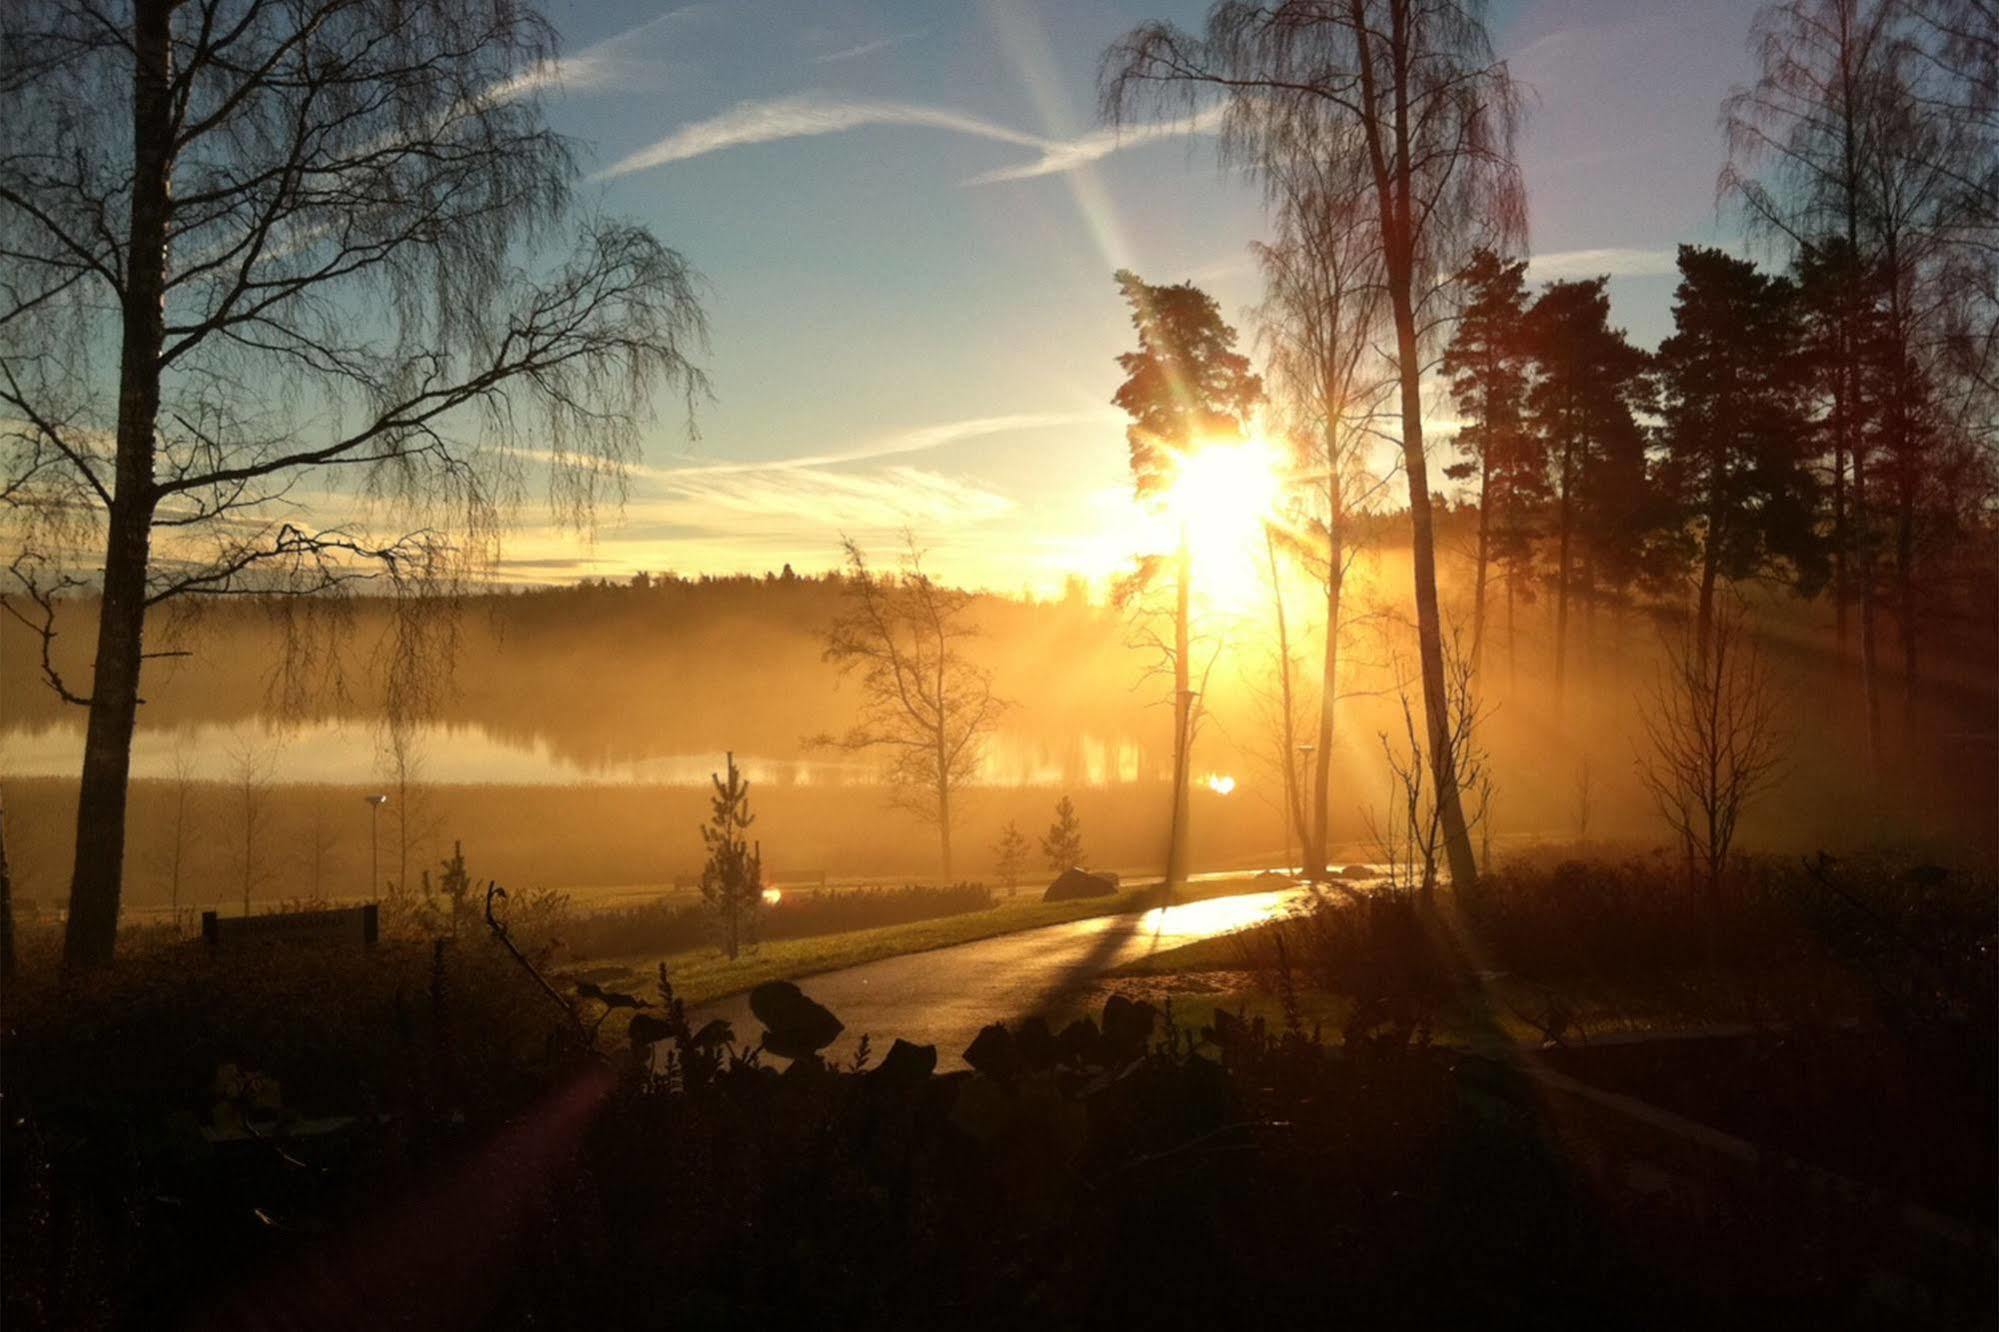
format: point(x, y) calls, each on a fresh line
point(491, 1171)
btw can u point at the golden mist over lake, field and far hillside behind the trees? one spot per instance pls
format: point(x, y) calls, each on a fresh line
point(569, 737)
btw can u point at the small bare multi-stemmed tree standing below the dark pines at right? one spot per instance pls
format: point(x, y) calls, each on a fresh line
point(1712, 741)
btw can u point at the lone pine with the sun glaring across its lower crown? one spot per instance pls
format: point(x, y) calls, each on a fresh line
point(1186, 383)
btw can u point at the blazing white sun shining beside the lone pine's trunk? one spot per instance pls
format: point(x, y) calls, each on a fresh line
point(1222, 497)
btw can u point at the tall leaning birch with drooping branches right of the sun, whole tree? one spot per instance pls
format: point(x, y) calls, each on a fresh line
point(1412, 91)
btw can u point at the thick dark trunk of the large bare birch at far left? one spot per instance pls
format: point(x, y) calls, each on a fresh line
point(101, 801)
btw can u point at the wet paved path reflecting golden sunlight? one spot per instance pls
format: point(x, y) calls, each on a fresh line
point(945, 997)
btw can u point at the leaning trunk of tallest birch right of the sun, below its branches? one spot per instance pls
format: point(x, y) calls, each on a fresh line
point(1428, 619)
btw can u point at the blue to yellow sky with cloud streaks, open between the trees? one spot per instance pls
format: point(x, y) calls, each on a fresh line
point(907, 219)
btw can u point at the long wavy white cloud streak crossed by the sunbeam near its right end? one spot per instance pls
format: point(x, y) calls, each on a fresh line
point(809, 115)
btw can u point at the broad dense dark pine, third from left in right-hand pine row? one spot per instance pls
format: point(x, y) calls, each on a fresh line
point(1732, 399)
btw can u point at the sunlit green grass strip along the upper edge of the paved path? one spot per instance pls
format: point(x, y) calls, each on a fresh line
point(707, 975)
